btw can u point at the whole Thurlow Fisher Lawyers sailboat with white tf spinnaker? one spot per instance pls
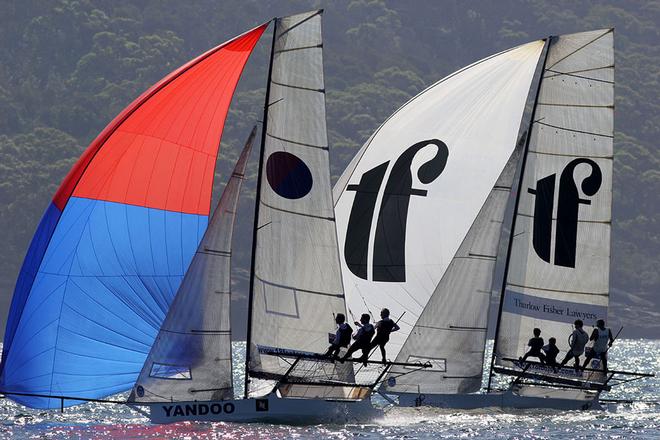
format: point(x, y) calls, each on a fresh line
point(422, 207)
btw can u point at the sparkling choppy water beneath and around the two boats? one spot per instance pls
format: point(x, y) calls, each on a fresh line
point(639, 420)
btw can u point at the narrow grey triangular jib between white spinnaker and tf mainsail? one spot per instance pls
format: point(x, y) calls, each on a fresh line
point(451, 331)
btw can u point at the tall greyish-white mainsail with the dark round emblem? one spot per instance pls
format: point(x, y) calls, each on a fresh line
point(297, 286)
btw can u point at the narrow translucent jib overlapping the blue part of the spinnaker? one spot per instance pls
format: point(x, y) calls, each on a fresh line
point(191, 357)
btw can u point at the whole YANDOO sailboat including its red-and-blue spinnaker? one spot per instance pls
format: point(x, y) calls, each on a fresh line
point(124, 286)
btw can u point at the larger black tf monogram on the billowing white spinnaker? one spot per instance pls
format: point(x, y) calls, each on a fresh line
point(389, 256)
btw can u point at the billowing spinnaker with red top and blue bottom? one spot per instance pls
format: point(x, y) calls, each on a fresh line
point(113, 246)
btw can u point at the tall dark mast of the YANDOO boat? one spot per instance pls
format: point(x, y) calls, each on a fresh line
point(264, 128)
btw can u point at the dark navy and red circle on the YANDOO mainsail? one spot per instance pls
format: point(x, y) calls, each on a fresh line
point(288, 175)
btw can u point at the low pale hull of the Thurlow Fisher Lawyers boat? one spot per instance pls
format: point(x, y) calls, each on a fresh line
point(516, 398)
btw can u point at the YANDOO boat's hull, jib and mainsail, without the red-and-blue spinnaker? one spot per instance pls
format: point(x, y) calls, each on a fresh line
point(187, 375)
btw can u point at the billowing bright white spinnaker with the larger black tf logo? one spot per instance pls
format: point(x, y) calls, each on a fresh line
point(406, 202)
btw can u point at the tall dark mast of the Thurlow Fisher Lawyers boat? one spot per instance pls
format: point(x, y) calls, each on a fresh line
point(515, 209)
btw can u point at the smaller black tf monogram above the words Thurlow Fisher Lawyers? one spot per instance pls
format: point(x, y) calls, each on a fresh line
point(567, 211)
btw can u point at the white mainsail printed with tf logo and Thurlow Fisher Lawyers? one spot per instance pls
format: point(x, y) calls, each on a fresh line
point(558, 268)
